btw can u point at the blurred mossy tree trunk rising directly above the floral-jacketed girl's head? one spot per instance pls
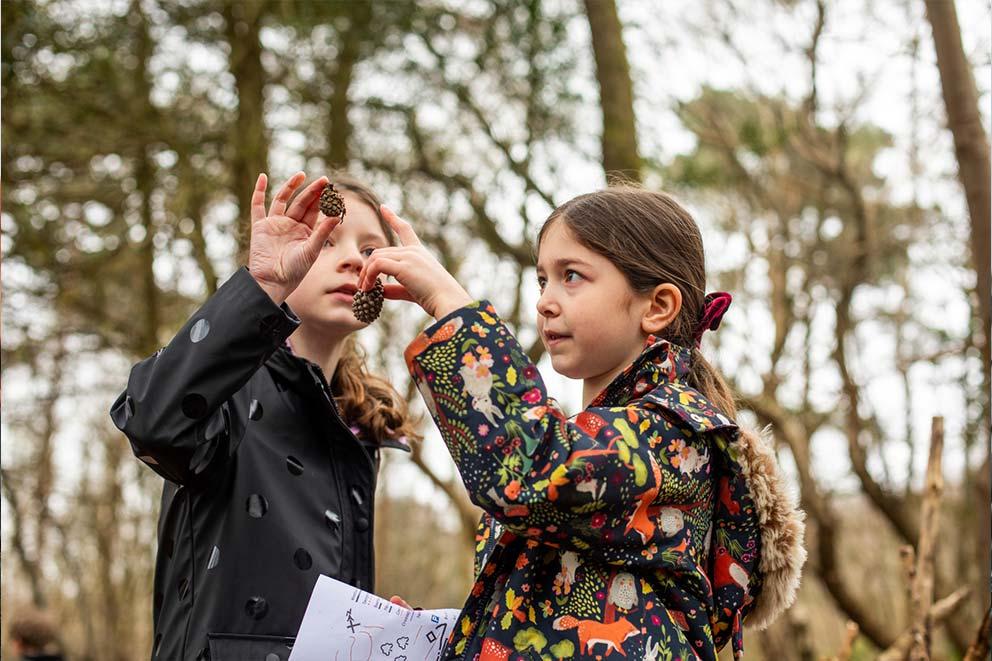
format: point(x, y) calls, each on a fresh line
point(616, 93)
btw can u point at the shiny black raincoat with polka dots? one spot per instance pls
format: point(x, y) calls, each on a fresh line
point(266, 486)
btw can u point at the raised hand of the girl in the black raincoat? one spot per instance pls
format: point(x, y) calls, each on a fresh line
point(285, 242)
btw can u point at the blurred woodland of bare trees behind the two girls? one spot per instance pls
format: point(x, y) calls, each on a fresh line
point(835, 154)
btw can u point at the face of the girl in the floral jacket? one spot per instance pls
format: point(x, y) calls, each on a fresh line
point(589, 317)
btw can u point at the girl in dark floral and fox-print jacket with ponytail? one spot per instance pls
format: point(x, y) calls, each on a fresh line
point(650, 524)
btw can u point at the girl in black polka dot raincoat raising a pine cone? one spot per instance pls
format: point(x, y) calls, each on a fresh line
point(267, 429)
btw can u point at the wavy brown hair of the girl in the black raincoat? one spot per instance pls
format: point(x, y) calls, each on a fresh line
point(366, 400)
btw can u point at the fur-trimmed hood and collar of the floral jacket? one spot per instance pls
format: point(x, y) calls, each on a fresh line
point(771, 549)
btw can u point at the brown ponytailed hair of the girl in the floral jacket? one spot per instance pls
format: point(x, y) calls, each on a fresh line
point(652, 240)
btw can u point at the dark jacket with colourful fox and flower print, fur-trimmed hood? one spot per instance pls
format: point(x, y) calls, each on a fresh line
point(648, 525)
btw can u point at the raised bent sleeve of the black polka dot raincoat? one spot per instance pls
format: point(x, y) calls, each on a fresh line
point(177, 410)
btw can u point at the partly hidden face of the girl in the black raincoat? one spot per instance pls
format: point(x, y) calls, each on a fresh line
point(324, 297)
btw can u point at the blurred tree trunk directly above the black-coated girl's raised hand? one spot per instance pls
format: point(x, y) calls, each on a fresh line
point(249, 142)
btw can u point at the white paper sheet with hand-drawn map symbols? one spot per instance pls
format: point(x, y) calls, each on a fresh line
point(343, 623)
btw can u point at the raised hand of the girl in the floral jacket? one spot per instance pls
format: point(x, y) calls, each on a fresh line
point(421, 278)
